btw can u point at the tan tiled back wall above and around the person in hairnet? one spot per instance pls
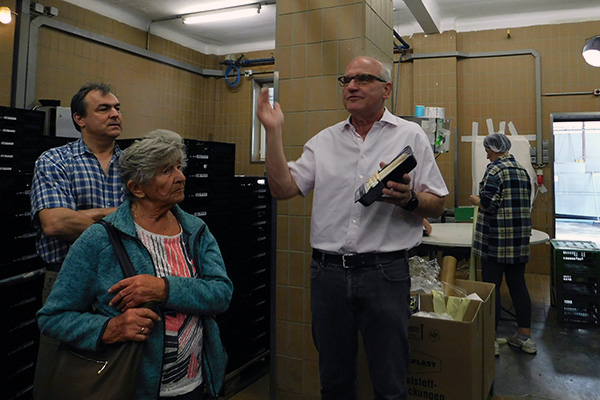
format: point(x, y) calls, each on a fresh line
point(501, 88)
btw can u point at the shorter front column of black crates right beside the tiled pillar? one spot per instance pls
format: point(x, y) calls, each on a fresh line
point(247, 253)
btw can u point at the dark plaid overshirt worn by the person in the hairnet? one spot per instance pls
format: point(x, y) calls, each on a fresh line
point(503, 230)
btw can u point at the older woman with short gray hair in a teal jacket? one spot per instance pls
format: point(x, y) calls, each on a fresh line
point(179, 267)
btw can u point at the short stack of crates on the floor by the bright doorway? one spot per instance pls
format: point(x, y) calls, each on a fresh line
point(574, 282)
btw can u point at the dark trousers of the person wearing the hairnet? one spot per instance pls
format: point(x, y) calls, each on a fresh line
point(492, 272)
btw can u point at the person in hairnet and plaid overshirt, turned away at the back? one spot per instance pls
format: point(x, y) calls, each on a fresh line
point(502, 232)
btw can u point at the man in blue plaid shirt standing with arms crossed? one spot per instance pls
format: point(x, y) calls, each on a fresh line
point(74, 186)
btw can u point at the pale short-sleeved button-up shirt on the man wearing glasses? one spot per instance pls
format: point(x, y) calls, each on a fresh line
point(337, 161)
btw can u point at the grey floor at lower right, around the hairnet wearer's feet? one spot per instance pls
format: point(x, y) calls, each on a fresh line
point(567, 363)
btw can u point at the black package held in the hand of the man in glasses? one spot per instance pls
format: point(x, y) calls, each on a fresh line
point(371, 190)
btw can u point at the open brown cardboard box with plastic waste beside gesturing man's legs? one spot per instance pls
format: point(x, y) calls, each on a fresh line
point(452, 360)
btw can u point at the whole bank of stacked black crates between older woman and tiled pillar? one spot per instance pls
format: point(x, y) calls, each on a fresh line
point(238, 212)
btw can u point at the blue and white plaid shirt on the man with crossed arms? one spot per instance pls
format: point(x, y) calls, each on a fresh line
point(70, 176)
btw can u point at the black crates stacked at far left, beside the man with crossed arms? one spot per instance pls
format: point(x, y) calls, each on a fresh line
point(21, 270)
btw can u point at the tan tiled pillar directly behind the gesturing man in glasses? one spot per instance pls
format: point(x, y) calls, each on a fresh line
point(315, 41)
